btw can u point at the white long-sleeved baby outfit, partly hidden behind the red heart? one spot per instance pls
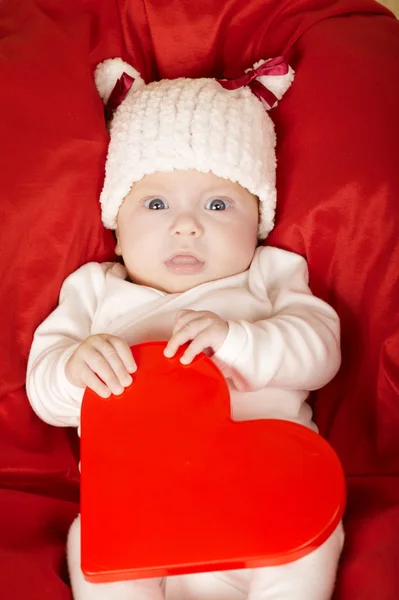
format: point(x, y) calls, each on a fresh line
point(282, 343)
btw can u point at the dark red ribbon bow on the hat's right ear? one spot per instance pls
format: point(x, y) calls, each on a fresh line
point(275, 66)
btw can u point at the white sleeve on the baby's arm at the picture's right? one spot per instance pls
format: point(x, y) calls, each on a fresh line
point(298, 346)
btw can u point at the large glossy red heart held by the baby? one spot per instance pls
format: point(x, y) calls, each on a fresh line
point(170, 484)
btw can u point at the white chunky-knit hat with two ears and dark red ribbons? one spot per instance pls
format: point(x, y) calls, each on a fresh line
point(184, 124)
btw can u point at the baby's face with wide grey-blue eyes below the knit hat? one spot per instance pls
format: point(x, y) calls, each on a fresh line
point(180, 229)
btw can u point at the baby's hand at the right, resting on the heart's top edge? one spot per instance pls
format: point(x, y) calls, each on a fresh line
point(203, 329)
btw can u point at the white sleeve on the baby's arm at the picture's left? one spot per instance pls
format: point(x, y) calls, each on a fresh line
point(54, 399)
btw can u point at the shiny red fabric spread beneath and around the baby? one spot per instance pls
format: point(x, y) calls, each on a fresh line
point(338, 187)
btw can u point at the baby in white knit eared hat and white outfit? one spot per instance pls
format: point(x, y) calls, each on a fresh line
point(190, 190)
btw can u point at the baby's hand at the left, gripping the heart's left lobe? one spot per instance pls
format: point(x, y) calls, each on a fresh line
point(101, 356)
